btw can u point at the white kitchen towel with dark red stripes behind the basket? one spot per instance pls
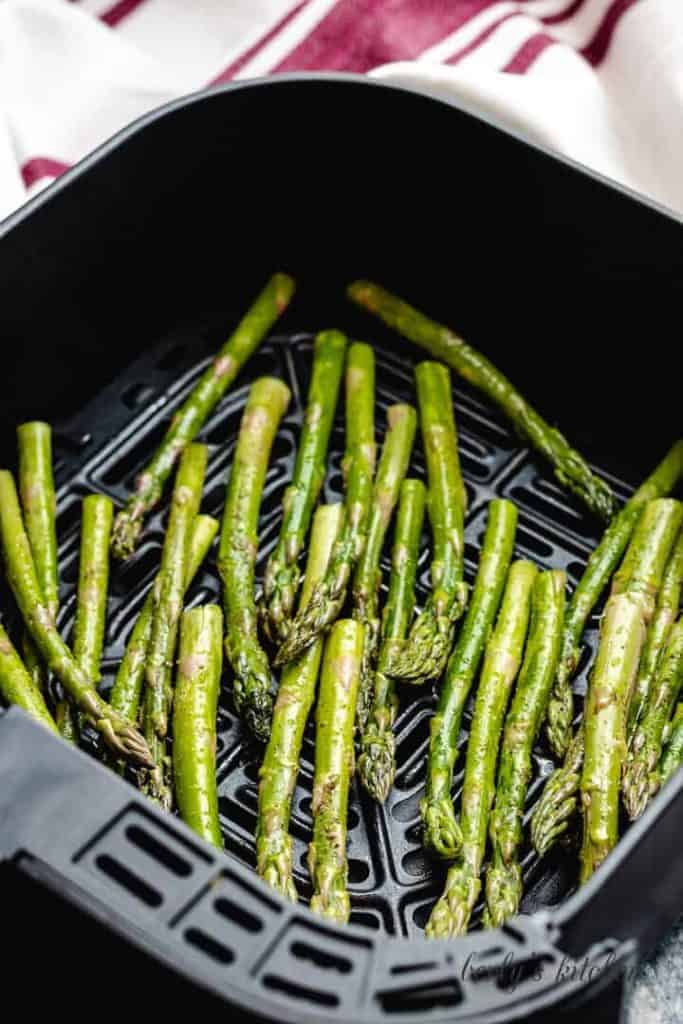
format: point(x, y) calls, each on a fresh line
point(599, 80)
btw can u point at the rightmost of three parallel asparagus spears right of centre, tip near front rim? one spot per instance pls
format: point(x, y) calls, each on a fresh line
point(504, 883)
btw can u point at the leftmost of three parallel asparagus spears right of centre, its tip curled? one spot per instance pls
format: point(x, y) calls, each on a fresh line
point(442, 833)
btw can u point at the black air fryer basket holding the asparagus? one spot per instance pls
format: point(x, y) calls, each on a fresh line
point(118, 285)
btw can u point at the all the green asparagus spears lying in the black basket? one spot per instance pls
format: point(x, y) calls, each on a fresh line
point(517, 632)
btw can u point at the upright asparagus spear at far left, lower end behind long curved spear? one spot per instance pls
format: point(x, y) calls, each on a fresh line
point(39, 505)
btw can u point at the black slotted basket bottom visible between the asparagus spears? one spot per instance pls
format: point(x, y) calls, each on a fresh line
point(393, 882)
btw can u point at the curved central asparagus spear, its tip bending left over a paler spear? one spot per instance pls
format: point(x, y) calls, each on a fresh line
point(328, 599)
